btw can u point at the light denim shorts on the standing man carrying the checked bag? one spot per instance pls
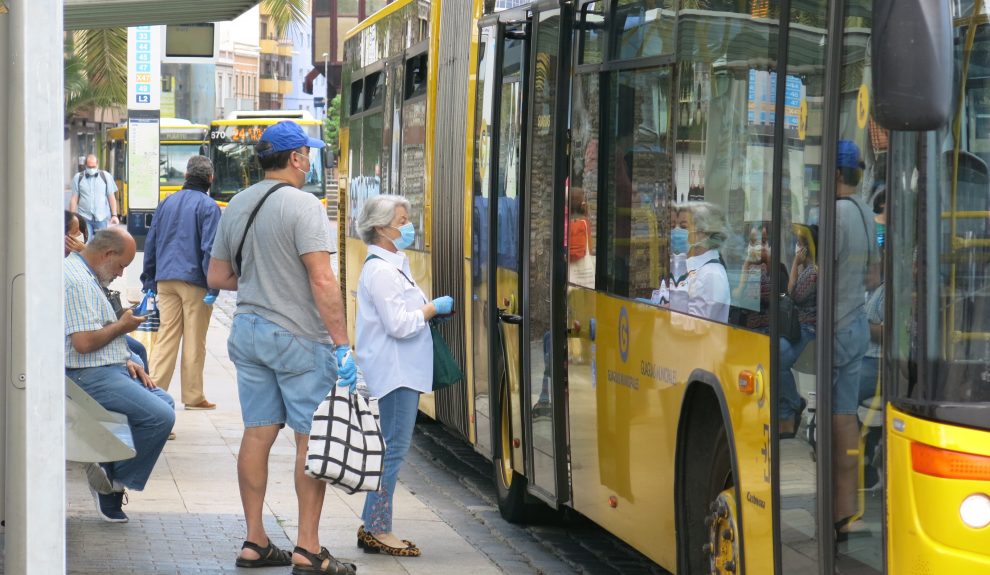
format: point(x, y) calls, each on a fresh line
point(281, 377)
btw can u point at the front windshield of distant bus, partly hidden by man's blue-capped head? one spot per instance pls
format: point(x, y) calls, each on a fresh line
point(236, 166)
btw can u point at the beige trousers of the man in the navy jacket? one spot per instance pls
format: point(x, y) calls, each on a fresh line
point(184, 317)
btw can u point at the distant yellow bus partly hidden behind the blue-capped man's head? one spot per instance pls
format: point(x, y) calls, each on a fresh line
point(232, 151)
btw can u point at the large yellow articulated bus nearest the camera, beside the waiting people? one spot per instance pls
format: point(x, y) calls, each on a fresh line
point(822, 139)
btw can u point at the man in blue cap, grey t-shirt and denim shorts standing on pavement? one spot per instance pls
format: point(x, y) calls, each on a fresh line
point(288, 340)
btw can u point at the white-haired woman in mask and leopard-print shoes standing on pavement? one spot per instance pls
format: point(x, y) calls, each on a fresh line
point(395, 350)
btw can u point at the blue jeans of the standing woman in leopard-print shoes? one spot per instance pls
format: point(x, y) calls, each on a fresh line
point(398, 418)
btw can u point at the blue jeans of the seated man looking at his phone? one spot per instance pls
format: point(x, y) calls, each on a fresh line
point(150, 415)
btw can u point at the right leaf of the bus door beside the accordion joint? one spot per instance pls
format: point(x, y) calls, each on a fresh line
point(544, 269)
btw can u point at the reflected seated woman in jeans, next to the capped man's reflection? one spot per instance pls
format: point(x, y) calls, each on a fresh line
point(802, 285)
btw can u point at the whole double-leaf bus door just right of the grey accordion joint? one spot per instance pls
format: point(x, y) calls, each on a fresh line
point(518, 237)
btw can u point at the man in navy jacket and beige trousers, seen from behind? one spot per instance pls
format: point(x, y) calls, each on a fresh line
point(176, 259)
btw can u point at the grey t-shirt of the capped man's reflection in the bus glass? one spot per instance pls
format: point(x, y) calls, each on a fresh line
point(854, 252)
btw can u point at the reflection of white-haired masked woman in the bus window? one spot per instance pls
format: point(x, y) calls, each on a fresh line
point(703, 288)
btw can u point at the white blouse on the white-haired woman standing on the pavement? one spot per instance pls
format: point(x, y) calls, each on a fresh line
point(394, 347)
